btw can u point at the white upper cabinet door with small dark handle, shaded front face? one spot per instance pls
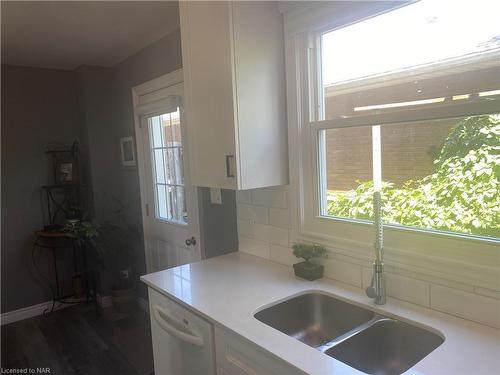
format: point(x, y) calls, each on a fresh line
point(207, 54)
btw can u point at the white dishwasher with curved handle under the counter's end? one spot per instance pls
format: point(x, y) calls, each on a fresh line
point(183, 343)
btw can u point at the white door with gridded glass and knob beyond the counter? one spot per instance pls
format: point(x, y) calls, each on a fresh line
point(171, 223)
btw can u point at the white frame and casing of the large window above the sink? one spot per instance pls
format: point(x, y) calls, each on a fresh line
point(454, 257)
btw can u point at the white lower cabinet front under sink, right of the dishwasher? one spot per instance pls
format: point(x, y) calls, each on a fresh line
point(238, 357)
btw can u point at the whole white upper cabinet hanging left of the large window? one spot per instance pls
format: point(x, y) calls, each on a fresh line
point(234, 79)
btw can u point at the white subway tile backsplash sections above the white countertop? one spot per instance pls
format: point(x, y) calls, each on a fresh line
point(264, 230)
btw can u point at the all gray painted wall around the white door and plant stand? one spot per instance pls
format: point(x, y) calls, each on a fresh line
point(95, 105)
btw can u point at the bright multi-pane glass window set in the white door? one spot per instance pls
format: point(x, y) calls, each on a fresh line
point(168, 167)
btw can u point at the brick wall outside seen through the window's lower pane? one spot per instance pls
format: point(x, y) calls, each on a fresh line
point(408, 152)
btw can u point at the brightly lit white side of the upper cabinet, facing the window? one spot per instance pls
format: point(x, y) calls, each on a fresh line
point(260, 82)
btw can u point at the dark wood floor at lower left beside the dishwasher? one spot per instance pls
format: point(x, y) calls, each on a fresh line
point(75, 340)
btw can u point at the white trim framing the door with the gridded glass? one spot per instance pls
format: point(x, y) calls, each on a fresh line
point(146, 98)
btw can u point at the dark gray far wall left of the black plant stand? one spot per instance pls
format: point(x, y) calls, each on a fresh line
point(39, 106)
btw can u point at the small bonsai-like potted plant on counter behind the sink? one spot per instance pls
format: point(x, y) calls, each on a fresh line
point(307, 269)
